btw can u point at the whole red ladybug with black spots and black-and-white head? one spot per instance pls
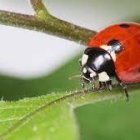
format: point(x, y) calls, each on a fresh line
point(113, 52)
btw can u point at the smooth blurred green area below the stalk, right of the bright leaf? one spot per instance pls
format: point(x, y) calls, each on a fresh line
point(110, 120)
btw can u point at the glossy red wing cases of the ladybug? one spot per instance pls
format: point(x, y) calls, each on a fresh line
point(127, 64)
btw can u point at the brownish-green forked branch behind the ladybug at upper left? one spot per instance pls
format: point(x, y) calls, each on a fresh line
point(42, 21)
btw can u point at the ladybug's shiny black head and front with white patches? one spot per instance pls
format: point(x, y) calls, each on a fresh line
point(96, 64)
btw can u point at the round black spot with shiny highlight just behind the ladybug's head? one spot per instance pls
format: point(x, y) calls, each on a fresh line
point(115, 45)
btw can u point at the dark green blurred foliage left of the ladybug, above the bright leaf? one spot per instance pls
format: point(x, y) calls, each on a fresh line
point(14, 88)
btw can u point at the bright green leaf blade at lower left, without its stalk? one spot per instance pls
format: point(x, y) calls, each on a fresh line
point(35, 119)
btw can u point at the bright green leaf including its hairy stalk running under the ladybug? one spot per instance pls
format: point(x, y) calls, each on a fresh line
point(48, 117)
